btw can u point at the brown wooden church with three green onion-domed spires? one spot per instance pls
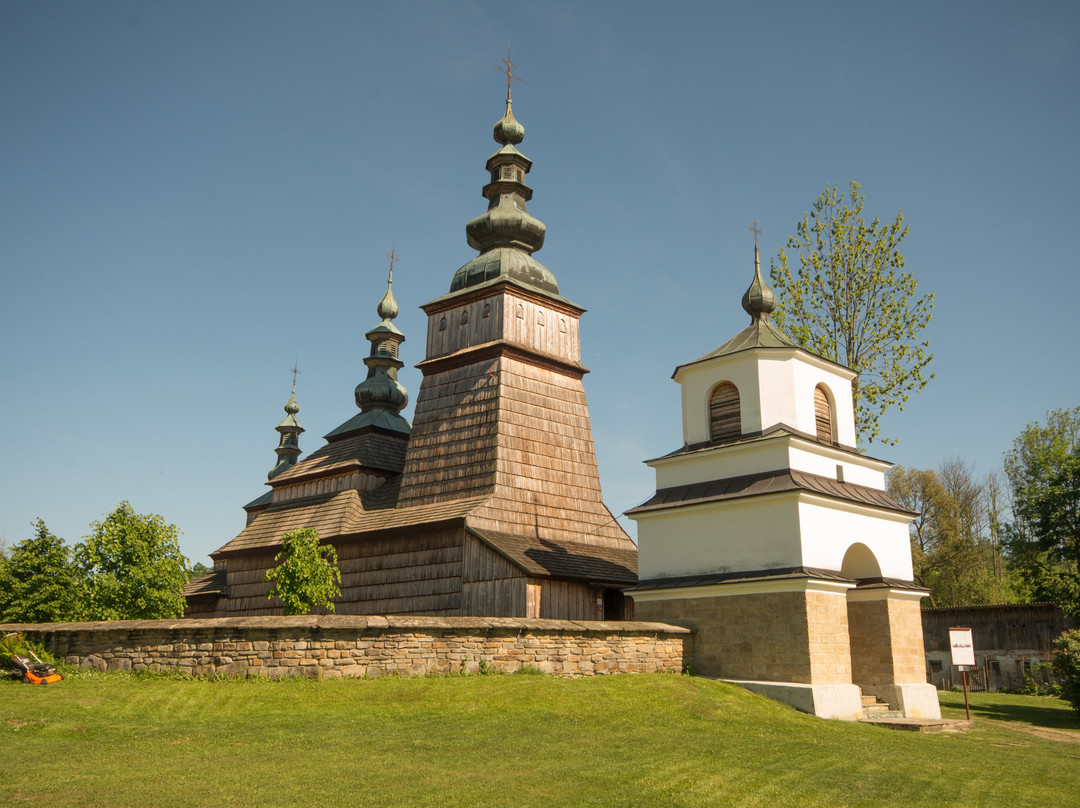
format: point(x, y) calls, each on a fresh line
point(490, 503)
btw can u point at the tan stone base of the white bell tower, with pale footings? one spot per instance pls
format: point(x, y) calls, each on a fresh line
point(818, 645)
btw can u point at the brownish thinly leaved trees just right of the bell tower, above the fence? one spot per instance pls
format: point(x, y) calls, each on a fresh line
point(954, 553)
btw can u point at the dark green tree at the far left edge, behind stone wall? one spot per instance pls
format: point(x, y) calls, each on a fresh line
point(42, 585)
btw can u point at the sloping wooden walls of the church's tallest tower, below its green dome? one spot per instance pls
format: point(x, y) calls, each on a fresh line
point(512, 423)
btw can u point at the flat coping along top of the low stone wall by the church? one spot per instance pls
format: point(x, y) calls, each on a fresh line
point(358, 623)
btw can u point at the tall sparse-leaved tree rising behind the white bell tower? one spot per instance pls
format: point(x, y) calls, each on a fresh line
point(850, 301)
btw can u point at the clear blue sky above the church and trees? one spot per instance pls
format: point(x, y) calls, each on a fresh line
point(196, 195)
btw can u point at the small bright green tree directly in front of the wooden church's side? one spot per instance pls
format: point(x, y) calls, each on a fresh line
point(307, 576)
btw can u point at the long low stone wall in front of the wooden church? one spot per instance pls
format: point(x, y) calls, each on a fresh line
point(339, 645)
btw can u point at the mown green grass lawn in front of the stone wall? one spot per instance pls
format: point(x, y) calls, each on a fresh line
point(642, 740)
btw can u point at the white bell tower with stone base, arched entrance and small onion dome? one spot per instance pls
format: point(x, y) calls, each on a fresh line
point(774, 538)
